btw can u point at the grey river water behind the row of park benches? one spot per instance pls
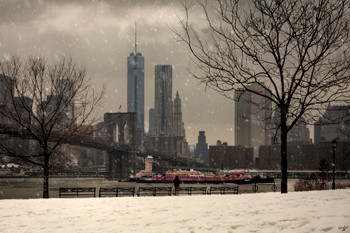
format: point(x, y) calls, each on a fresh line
point(27, 188)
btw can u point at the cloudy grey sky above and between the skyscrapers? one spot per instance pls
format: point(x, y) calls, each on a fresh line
point(100, 35)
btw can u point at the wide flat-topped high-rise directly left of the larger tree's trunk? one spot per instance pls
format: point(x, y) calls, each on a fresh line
point(252, 118)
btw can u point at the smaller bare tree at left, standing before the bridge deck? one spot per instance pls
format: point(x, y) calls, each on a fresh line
point(50, 105)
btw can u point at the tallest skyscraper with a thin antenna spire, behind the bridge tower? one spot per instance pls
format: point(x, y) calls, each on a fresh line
point(135, 89)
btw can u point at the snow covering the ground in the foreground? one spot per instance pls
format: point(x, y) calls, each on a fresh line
point(317, 211)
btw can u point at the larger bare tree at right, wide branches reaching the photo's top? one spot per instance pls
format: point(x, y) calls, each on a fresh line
point(295, 50)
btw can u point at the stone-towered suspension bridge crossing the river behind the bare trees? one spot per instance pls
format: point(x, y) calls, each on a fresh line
point(116, 136)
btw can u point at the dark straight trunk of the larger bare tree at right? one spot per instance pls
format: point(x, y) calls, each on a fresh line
point(284, 162)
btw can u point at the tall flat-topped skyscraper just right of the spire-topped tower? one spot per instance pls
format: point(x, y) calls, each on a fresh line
point(163, 104)
